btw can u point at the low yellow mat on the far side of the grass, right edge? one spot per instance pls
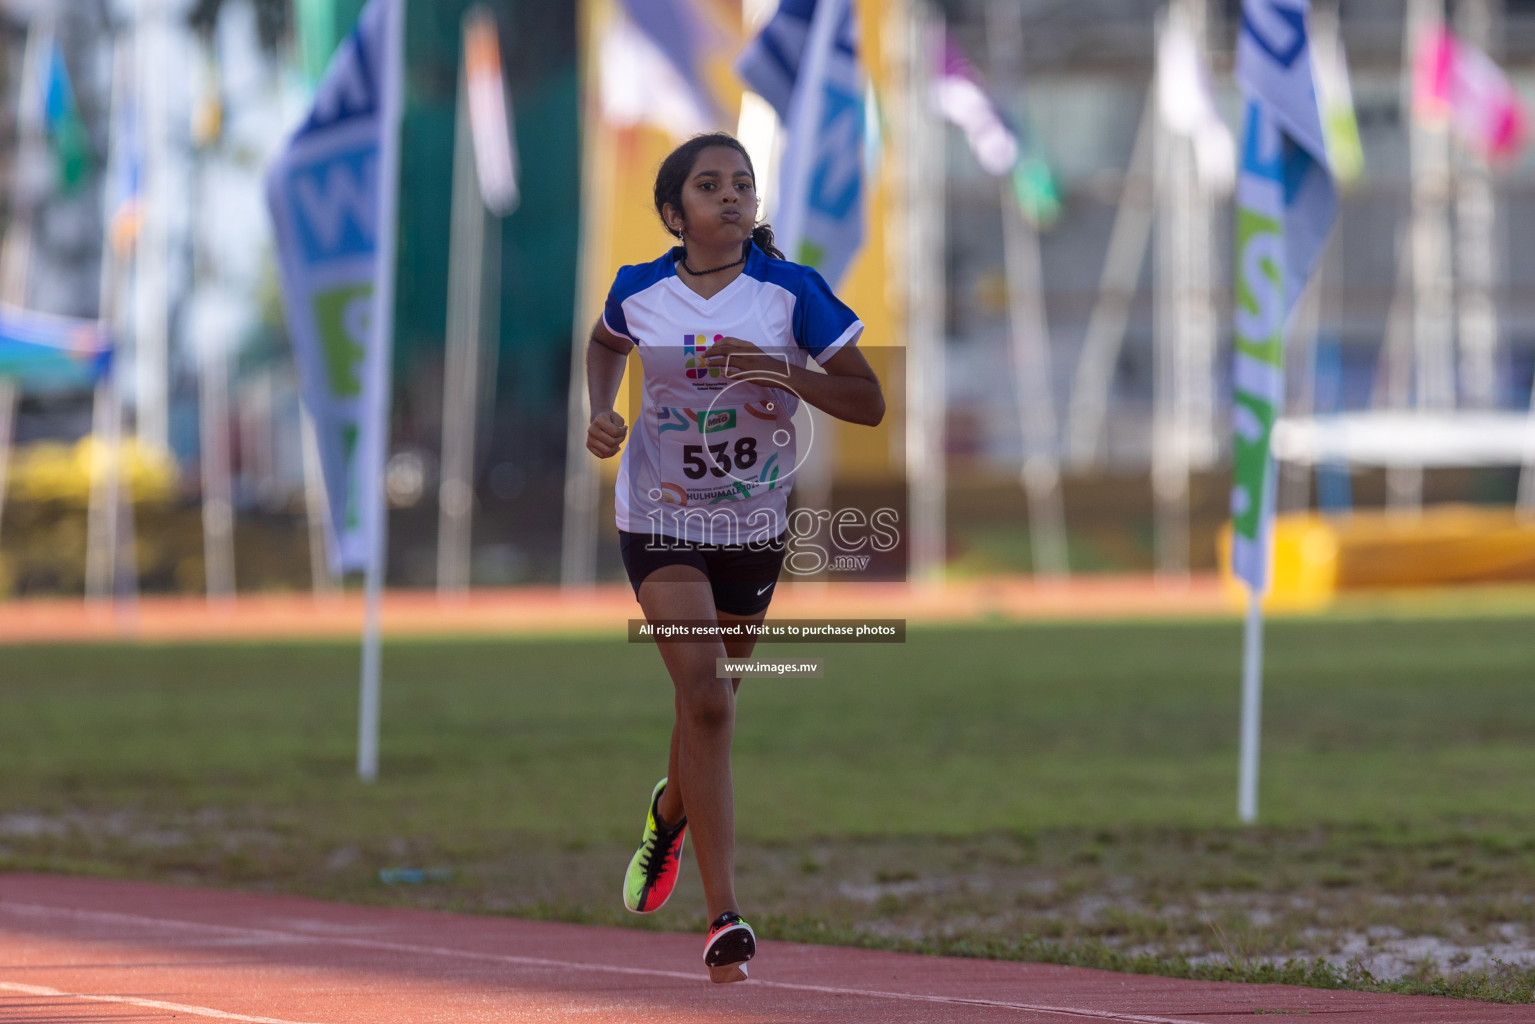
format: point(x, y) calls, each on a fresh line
point(1316, 558)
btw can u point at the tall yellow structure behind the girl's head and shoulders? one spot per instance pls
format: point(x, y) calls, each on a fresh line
point(619, 223)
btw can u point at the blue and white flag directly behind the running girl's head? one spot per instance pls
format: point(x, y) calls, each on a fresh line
point(805, 64)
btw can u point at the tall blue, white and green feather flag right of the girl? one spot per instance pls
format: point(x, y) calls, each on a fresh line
point(1286, 206)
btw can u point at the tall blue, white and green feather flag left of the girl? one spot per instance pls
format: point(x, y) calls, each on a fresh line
point(332, 194)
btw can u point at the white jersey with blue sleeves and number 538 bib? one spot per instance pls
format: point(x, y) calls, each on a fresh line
point(711, 460)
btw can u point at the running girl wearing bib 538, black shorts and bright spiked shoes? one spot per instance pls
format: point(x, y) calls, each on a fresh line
point(725, 328)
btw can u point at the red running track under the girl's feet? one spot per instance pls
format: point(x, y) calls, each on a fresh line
point(76, 950)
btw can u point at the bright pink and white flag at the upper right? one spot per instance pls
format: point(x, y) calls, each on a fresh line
point(1461, 85)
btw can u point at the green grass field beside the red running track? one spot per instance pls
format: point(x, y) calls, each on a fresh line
point(1063, 791)
